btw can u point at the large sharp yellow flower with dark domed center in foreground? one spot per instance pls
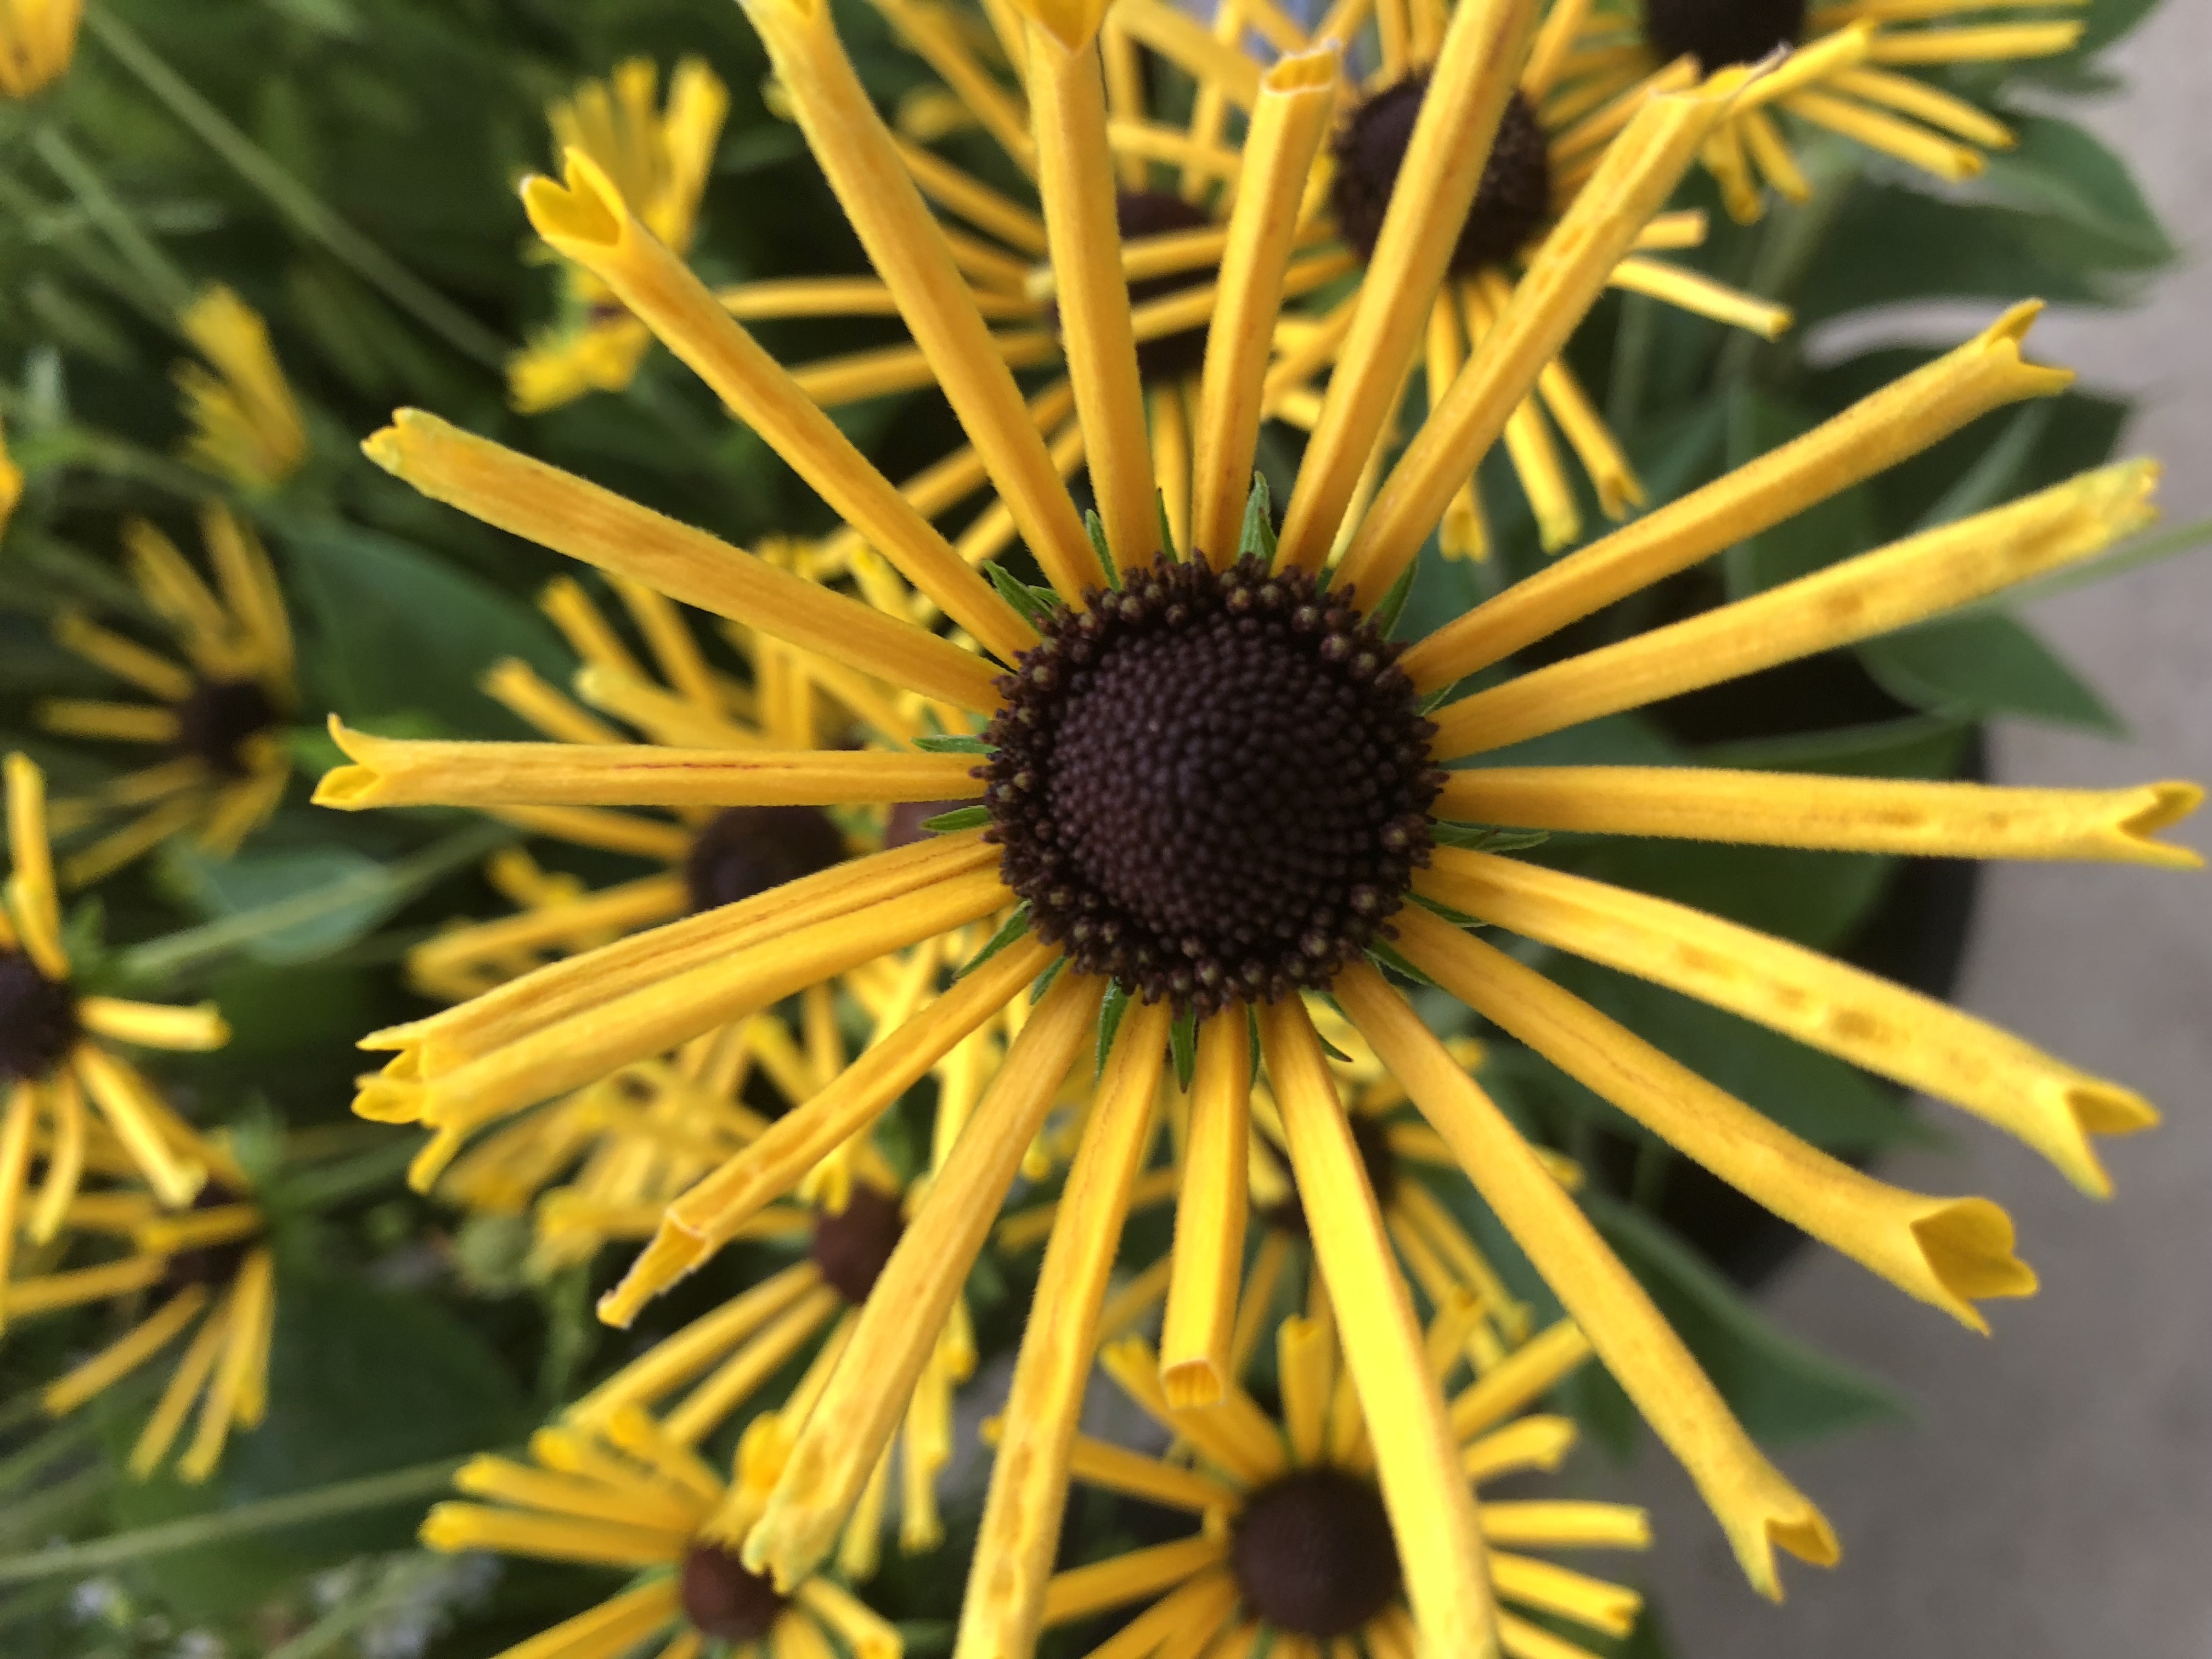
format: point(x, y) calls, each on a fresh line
point(1213, 782)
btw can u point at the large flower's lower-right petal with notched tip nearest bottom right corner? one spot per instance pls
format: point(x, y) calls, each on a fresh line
point(1755, 1505)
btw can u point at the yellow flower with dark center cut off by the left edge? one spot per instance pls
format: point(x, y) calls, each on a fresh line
point(56, 1058)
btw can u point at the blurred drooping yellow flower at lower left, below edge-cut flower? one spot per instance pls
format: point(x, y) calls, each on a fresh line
point(213, 1286)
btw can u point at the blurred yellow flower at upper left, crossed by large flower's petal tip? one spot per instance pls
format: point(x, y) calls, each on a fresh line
point(658, 158)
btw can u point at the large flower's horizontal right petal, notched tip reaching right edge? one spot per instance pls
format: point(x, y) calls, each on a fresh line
point(1833, 815)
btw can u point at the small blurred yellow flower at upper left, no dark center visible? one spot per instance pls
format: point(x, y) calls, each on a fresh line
point(247, 426)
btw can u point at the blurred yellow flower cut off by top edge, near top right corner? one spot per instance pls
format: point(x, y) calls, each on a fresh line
point(1841, 76)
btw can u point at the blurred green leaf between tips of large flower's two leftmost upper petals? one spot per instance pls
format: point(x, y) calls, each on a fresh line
point(395, 632)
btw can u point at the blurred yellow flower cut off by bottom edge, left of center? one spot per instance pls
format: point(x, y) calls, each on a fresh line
point(632, 1499)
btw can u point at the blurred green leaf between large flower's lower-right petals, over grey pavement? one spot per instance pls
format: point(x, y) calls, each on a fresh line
point(1780, 1388)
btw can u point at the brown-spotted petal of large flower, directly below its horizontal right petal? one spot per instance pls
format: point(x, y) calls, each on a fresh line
point(1822, 1003)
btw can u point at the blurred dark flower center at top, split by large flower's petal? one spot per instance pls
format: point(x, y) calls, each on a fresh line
point(1512, 202)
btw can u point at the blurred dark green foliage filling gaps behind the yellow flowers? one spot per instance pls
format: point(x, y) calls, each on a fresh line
point(348, 167)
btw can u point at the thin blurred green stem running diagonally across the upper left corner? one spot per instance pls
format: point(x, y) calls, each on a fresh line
point(291, 198)
